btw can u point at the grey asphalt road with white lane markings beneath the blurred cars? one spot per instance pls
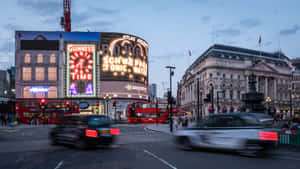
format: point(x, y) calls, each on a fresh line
point(136, 148)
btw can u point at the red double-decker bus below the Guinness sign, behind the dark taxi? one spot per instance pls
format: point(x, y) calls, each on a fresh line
point(27, 110)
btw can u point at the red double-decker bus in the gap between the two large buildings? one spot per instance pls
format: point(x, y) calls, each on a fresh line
point(140, 112)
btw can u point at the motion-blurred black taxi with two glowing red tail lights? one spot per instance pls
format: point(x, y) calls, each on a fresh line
point(84, 131)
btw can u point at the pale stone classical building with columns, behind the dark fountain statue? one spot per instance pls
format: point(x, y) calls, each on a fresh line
point(224, 72)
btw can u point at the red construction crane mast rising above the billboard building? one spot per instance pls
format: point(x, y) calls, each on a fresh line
point(65, 20)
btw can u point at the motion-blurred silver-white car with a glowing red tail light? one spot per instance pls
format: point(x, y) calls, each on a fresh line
point(249, 134)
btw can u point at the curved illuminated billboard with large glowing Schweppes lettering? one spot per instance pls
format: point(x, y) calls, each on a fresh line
point(123, 58)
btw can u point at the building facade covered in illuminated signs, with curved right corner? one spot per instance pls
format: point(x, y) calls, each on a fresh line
point(93, 67)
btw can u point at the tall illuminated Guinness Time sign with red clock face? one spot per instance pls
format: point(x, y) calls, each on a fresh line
point(81, 73)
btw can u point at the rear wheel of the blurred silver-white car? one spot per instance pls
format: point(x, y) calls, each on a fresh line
point(251, 150)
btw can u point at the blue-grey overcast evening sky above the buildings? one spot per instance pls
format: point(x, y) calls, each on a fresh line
point(171, 27)
